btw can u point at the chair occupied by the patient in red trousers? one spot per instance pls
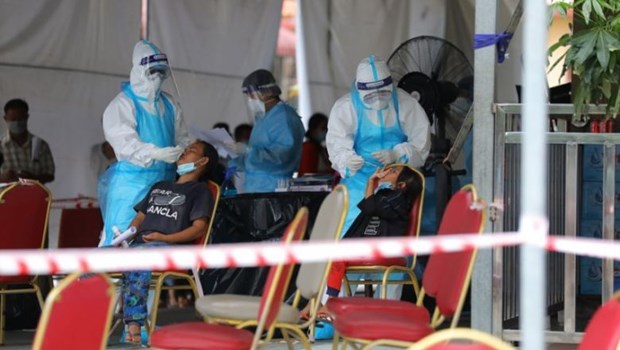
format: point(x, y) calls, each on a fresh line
point(388, 266)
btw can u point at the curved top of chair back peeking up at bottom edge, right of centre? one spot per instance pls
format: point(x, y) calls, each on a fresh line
point(475, 340)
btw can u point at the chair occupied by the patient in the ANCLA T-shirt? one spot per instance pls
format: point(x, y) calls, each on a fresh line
point(193, 283)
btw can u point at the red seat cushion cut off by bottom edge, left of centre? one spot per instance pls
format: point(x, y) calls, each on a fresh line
point(201, 336)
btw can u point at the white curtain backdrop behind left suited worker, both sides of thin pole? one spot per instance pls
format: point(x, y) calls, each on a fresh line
point(67, 59)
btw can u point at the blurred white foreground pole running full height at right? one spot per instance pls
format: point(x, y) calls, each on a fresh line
point(533, 223)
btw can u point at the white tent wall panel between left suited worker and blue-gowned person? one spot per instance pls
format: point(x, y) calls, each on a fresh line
point(212, 45)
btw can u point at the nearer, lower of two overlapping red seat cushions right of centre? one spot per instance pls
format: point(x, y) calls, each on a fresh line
point(381, 325)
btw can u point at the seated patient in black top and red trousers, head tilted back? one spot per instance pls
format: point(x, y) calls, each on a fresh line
point(385, 212)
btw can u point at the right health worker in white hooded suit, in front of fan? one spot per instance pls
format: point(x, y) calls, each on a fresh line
point(374, 125)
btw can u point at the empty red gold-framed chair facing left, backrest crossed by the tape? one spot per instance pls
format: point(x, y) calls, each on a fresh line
point(446, 278)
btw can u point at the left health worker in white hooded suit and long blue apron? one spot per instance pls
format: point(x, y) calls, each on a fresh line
point(146, 129)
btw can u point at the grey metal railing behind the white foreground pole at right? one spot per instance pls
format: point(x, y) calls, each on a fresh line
point(563, 213)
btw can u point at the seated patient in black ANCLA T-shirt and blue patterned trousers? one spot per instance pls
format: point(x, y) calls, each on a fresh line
point(171, 213)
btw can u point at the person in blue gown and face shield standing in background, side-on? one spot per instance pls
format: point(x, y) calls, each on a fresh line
point(274, 149)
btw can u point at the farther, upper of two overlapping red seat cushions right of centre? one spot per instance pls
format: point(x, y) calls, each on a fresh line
point(340, 306)
